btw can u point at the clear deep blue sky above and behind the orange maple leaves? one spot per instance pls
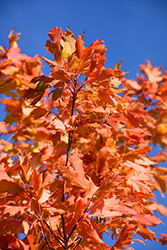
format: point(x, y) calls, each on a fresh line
point(133, 30)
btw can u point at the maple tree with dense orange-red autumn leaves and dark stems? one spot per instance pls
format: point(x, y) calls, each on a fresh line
point(75, 148)
